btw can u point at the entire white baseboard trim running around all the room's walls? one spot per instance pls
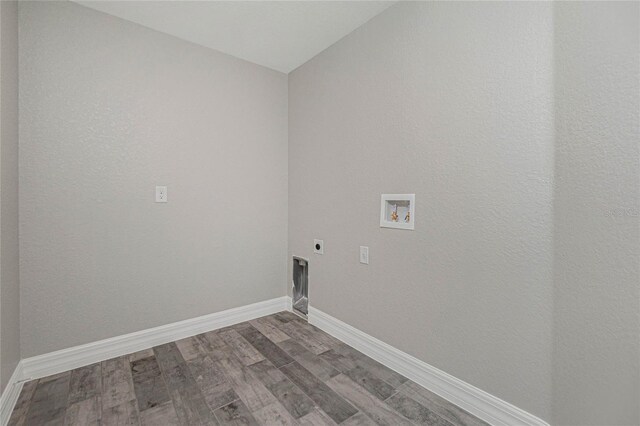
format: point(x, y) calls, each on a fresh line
point(477, 402)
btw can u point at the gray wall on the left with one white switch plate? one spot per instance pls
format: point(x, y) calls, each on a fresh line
point(108, 110)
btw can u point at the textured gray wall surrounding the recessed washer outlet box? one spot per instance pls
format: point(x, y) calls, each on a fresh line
point(453, 102)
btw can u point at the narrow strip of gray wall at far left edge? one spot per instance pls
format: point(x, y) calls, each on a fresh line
point(9, 271)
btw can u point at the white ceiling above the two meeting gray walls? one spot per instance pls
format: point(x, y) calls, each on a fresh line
point(281, 35)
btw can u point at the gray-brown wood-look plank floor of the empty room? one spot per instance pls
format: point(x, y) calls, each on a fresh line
point(270, 371)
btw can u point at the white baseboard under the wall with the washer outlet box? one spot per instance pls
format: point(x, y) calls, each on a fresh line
point(481, 404)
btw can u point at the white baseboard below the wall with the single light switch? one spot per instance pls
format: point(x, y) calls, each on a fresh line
point(79, 356)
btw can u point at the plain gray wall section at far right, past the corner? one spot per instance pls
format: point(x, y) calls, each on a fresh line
point(596, 356)
